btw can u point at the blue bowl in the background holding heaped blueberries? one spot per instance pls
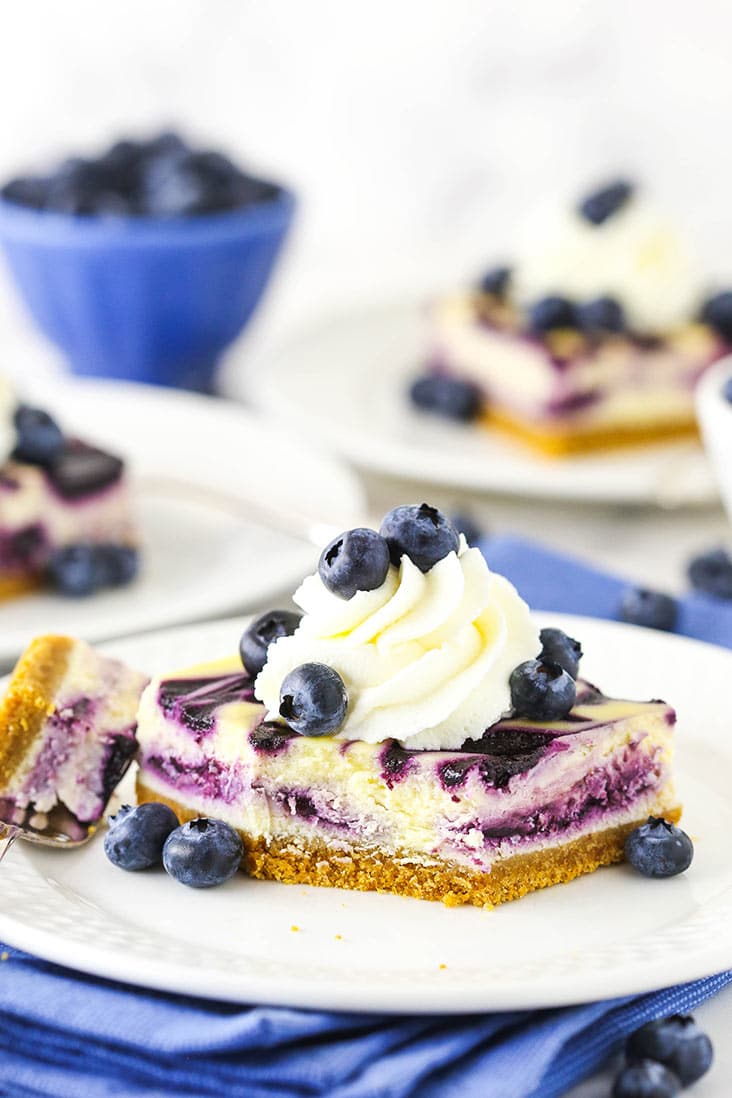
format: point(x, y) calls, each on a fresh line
point(144, 299)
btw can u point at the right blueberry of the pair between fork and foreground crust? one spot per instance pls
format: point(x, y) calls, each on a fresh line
point(202, 854)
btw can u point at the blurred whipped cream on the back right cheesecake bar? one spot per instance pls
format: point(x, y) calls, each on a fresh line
point(637, 256)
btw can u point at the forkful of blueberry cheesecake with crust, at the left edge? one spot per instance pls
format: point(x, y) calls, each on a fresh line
point(67, 735)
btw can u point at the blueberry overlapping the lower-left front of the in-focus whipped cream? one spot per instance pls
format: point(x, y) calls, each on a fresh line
point(313, 700)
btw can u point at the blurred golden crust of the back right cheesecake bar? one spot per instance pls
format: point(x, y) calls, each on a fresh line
point(559, 444)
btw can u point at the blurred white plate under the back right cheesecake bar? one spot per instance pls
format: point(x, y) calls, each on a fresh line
point(345, 384)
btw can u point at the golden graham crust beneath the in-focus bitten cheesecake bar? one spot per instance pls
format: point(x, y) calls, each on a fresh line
point(368, 870)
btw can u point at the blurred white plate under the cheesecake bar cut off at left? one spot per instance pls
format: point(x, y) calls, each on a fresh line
point(201, 467)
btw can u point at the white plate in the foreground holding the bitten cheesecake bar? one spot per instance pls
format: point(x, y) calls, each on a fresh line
point(607, 935)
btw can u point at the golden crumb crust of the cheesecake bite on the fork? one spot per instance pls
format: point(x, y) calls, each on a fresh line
point(30, 699)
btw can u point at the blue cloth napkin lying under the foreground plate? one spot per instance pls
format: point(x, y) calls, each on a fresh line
point(69, 1036)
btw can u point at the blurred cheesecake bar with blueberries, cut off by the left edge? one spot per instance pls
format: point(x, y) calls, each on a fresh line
point(66, 517)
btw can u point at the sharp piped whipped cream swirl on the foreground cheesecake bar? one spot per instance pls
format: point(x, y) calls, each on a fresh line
point(426, 658)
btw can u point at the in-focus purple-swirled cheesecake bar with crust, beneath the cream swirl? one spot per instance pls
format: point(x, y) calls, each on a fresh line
point(527, 805)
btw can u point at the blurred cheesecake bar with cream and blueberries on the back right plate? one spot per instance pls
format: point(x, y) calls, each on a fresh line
point(595, 338)
